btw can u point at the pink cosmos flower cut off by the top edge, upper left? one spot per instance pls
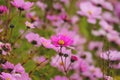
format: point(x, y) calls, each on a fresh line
point(21, 5)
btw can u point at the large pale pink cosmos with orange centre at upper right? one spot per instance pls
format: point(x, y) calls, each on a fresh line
point(90, 11)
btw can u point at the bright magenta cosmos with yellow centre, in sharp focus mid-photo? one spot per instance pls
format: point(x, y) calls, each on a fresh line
point(61, 40)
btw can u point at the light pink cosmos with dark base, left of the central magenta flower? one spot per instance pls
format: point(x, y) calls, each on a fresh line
point(33, 38)
